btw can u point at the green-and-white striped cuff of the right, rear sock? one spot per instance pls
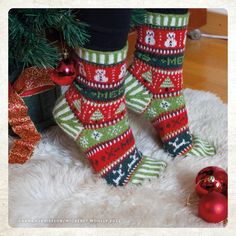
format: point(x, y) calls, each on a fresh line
point(166, 20)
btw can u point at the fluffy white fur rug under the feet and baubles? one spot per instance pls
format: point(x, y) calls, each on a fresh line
point(57, 188)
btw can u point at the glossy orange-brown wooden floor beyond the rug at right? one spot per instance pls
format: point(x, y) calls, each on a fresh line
point(205, 66)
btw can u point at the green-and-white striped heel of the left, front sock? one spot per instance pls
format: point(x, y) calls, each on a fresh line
point(65, 118)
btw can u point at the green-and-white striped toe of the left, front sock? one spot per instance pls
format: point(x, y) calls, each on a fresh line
point(148, 169)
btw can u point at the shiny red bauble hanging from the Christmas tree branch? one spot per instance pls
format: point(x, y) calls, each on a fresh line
point(65, 73)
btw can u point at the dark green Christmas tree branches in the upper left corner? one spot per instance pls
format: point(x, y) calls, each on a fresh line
point(30, 30)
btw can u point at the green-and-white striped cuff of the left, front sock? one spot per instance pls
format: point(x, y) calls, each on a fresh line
point(103, 58)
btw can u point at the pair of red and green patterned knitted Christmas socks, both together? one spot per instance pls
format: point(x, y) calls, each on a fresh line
point(93, 110)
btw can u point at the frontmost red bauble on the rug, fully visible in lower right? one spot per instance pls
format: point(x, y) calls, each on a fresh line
point(213, 207)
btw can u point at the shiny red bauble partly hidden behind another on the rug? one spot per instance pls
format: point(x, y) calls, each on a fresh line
point(211, 179)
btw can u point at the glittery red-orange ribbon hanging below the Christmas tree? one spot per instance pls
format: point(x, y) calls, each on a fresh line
point(32, 81)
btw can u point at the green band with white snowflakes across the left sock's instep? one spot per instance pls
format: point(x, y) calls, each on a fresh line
point(91, 138)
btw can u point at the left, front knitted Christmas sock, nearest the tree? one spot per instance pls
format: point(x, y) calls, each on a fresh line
point(93, 112)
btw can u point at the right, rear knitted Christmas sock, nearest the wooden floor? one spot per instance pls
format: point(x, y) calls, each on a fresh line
point(155, 79)
